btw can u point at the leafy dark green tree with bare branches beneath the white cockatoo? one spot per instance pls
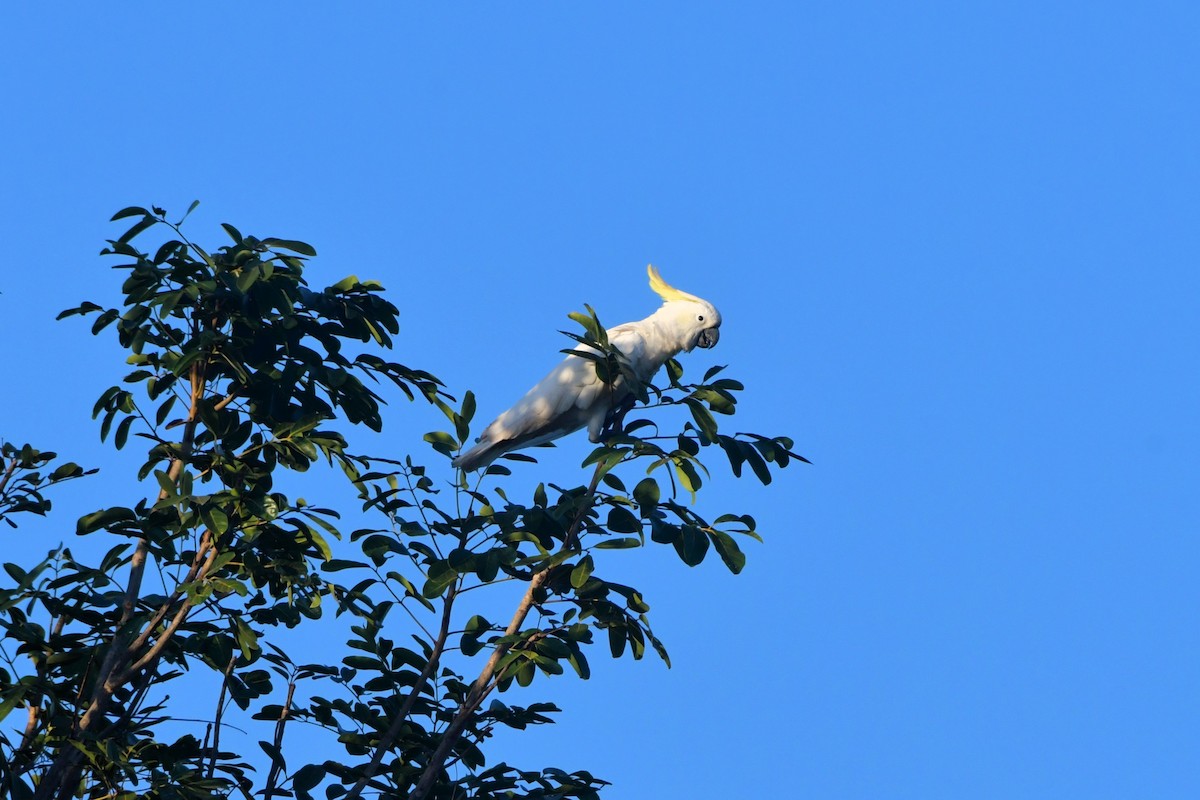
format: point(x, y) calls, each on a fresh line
point(241, 375)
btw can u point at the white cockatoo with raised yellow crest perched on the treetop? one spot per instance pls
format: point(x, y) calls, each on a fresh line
point(573, 396)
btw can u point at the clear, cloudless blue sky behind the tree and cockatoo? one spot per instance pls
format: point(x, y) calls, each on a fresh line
point(956, 248)
